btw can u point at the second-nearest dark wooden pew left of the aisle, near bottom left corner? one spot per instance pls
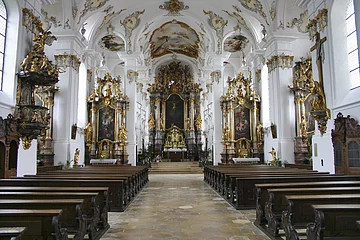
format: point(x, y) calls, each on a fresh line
point(40, 224)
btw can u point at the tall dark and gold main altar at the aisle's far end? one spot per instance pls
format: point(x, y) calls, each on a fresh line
point(175, 124)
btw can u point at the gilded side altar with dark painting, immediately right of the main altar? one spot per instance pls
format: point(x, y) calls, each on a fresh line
point(241, 99)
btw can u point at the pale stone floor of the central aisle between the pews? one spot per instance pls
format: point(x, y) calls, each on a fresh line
point(181, 207)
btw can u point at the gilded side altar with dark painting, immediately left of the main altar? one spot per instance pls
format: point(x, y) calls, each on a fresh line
point(106, 134)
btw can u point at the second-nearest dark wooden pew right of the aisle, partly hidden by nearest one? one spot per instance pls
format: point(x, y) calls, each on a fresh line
point(299, 211)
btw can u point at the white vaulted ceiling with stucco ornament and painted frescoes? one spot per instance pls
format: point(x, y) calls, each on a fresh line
point(158, 29)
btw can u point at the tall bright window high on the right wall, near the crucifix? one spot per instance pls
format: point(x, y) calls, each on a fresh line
point(352, 46)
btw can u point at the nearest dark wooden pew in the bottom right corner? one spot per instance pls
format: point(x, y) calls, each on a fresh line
point(334, 221)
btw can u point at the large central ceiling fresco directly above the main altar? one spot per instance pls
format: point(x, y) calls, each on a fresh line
point(174, 37)
